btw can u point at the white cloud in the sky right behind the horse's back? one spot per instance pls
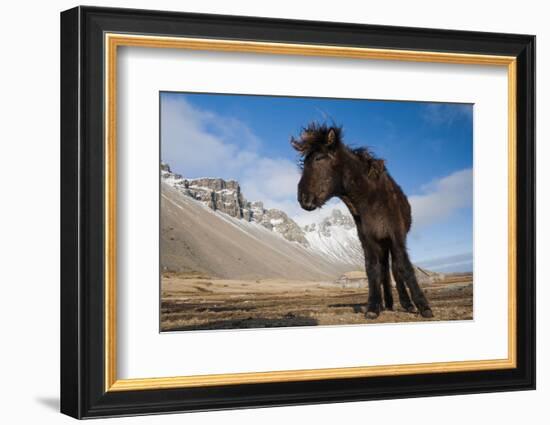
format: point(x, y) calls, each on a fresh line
point(442, 197)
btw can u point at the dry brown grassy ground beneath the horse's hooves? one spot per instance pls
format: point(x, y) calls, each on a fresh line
point(195, 302)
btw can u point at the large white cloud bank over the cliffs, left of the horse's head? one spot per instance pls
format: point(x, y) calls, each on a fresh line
point(200, 143)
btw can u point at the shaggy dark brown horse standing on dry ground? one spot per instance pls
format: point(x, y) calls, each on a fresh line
point(379, 207)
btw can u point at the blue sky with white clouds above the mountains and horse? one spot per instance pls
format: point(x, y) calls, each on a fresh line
point(428, 148)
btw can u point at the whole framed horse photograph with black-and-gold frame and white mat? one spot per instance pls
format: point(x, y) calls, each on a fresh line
point(261, 212)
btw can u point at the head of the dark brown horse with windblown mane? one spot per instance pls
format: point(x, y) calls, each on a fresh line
point(318, 146)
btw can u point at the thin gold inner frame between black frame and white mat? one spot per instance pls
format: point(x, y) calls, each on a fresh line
point(114, 41)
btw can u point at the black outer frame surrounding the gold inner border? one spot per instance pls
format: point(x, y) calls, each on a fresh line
point(82, 214)
